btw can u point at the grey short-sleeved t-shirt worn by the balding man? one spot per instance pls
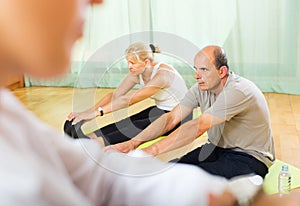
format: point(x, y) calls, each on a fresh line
point(247, 120)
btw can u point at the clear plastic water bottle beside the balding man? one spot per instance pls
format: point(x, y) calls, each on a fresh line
point(284, 181)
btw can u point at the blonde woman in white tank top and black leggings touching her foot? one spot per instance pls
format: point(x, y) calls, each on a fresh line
point(159, 81)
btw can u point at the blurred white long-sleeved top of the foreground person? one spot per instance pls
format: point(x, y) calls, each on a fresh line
point(41, 167)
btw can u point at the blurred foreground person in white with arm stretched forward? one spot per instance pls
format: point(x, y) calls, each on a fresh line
point(40, 167)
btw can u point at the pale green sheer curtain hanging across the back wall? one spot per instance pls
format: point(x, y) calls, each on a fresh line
point(261, 38)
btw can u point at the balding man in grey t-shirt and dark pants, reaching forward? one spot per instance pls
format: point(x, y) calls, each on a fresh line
point(234, 114)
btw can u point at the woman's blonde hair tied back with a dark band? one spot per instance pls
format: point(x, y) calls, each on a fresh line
point(140, 51)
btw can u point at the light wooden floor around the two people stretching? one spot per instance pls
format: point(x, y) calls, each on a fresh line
point(53, 104)
